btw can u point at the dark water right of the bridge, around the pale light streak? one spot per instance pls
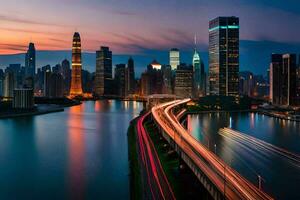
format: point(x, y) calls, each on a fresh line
point(281, 177)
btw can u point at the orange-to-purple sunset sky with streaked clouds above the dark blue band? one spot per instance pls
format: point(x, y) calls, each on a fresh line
point(134, 26)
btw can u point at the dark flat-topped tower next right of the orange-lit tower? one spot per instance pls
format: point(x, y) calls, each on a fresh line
point(103, 71)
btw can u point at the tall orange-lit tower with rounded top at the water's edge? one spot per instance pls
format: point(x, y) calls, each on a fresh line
point(76, 85)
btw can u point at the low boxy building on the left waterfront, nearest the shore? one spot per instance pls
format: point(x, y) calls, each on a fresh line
point(23, 98)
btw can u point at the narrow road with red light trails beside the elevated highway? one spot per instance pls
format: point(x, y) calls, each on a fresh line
point(153, 172)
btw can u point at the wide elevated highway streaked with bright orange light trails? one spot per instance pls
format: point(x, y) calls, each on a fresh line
point(226, 179)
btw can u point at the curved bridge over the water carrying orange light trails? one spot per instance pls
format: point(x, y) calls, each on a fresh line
point(219, 179)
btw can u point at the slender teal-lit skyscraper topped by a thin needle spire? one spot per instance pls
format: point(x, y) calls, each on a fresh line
point(199, 74)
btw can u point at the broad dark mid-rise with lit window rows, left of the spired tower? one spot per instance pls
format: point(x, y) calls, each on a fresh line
point(184, 81)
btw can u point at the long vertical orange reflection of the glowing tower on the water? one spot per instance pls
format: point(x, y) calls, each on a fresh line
point(76, 142)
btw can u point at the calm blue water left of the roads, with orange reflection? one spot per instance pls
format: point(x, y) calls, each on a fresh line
point(80, 153)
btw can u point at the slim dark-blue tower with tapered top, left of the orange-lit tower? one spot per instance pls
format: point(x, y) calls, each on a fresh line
point(30, 62)
